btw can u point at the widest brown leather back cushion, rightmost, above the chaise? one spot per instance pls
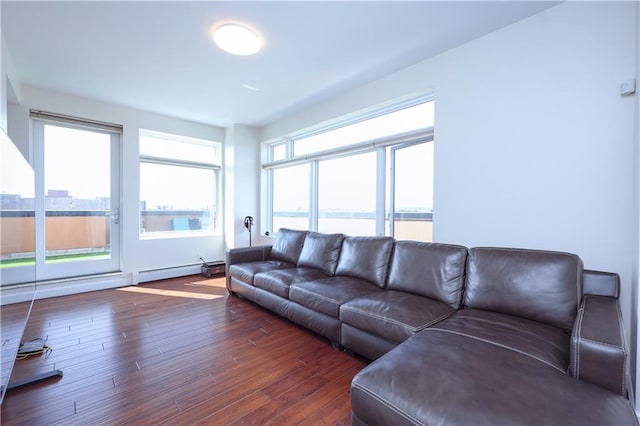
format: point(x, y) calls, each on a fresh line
point(539, 285)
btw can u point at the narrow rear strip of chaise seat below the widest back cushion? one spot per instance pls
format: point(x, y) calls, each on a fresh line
point(542, 342)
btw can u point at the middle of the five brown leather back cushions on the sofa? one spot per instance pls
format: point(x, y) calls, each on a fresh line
point(366, 258)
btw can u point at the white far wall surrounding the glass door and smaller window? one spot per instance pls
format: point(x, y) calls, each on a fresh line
point(137, 255)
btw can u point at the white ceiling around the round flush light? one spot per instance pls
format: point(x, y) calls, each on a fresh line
point(157, 55)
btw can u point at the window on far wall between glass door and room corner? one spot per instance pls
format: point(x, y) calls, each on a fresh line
point(179, 185)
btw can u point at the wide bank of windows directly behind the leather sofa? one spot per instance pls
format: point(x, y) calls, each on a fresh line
point(368, 176)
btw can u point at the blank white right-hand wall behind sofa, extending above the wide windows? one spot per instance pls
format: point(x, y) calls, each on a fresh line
point(534, 146)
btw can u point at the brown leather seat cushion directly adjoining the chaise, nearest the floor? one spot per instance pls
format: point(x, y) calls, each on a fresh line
point(393, 315)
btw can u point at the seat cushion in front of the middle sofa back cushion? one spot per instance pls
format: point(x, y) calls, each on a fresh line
point(328, 294)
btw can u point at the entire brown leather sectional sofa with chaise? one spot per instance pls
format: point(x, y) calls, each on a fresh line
point(474, 336)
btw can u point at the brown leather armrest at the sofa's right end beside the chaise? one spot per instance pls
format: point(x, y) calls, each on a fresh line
point(597, 348)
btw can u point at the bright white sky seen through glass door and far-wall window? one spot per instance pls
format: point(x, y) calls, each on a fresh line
point(79, 161)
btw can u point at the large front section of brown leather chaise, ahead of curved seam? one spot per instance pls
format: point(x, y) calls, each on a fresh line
point(440, 378)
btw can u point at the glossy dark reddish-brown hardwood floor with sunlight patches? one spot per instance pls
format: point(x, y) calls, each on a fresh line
point(177, 352)
